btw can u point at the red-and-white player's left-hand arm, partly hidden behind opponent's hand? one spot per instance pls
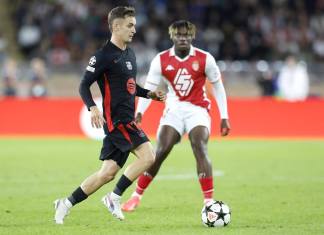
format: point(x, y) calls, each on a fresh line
point(152, 82)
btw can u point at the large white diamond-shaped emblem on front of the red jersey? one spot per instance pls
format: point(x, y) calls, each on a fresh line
point(183, 82)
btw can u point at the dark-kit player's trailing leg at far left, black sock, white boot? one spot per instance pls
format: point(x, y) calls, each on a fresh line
point(91, 184)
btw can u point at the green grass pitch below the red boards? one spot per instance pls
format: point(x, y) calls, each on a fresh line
point(272, 187)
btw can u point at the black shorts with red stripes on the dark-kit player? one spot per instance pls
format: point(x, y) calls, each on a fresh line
point(123, 139)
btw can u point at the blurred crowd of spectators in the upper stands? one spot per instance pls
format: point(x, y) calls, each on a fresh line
point(67, 31)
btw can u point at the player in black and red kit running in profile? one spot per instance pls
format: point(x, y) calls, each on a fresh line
point(113, 67)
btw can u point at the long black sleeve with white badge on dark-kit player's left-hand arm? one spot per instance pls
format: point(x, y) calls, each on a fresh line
point(94, 71)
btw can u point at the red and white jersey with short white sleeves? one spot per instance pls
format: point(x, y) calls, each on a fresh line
point(185, 77)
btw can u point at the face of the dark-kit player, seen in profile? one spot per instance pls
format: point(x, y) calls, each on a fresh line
point(126, 29)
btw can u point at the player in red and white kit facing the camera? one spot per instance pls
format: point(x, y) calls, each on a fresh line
point(184, 69)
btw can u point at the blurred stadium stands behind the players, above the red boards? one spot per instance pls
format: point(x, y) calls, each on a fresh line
point(247, 38)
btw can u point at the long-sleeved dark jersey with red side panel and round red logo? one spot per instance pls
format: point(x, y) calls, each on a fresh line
point(115, 72)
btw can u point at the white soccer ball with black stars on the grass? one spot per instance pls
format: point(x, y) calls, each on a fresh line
point(216, 214)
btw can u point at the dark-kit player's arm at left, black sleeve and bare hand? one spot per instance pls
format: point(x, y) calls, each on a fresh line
point(94, 71)
